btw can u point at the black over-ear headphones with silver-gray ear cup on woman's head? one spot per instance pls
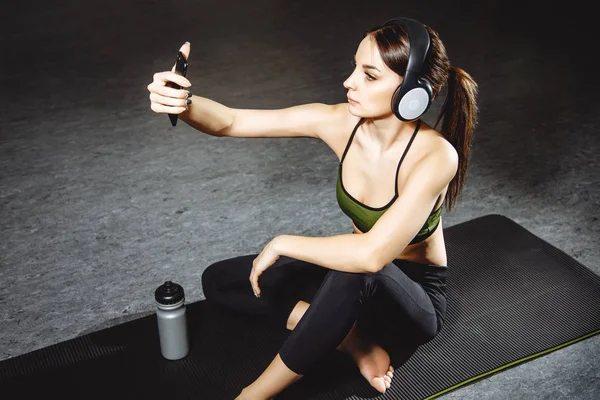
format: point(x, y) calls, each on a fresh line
point(413, 97)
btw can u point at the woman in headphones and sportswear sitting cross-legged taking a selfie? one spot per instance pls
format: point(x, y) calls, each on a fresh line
point(385, 282)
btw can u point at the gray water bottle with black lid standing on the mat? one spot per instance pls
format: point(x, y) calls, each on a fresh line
point(171, 319)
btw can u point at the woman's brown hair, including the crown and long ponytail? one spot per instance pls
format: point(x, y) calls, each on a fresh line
point(459, 111)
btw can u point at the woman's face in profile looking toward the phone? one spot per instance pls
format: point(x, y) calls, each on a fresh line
point(371, 84)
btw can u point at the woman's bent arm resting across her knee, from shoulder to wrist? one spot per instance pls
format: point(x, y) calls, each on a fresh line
point(393, 231)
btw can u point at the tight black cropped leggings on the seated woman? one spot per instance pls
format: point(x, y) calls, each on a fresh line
point(405, 301)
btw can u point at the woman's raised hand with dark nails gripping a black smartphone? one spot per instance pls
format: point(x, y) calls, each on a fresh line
point(168, 90)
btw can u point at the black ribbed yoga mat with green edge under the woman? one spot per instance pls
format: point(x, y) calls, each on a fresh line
point(511, 297)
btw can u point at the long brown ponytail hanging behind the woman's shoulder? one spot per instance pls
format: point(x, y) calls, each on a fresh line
point(459, 114)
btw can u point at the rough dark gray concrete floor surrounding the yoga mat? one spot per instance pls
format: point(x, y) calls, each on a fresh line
point(102, 200)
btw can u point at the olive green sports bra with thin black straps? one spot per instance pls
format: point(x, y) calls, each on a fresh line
point(363, 216)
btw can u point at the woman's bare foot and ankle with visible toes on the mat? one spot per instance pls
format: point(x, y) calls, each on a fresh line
point(372, 360)
